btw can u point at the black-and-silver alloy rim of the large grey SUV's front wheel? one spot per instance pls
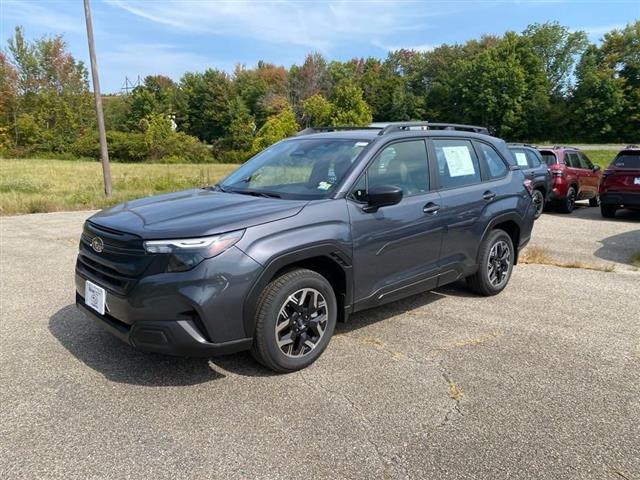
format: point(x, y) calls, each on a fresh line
point(301, 323)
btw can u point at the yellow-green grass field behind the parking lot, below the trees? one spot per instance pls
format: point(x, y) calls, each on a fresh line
point(35, 185)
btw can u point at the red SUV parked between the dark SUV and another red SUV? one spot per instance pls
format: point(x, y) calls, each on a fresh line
point(573, 177)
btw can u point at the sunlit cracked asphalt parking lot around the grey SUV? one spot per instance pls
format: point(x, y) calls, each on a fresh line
point(541, 381)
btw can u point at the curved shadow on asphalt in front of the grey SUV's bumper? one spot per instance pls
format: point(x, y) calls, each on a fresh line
point(121, 363)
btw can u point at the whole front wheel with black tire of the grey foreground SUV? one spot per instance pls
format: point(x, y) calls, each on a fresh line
point(285, 323)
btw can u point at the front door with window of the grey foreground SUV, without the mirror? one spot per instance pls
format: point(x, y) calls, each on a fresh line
point(396, 249)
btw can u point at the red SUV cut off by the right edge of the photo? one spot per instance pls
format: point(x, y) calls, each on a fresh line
point(620, 185)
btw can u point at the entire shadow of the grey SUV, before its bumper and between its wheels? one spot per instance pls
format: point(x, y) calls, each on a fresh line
point(121, 363)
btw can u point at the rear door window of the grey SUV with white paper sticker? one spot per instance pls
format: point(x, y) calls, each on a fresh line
point(457, 163)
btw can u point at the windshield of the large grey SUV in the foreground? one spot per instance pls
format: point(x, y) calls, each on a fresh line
point(296, 169)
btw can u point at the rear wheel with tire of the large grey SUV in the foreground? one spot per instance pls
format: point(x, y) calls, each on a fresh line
point(483, 281)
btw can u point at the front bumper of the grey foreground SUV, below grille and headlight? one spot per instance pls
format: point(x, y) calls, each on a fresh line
point(193, 313)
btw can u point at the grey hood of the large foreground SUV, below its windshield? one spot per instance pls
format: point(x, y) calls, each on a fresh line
point(194, 213)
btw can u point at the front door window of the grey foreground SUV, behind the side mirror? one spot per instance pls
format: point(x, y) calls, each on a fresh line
point(403, 164)
